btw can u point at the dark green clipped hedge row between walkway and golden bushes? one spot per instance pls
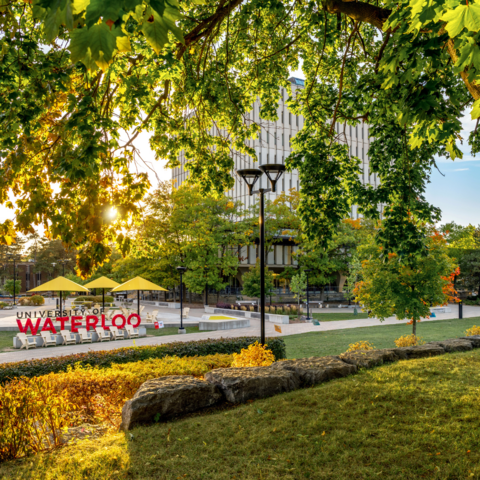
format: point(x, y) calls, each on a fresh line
point(106, 358)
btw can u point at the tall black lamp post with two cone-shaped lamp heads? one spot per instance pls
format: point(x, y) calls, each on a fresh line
point(273, 172)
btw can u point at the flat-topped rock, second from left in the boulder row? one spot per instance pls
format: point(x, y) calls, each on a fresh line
point(242, 384)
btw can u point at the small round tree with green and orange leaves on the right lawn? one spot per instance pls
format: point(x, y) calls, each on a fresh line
point(390, 286)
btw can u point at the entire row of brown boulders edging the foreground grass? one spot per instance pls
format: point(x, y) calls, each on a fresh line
point(167, 397)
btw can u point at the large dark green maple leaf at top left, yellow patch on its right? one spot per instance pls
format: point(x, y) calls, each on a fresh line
point(97, 44)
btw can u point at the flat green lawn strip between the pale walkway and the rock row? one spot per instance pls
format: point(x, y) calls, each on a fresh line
point(383, 336)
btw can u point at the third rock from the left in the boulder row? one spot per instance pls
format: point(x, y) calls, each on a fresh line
point(314, 370)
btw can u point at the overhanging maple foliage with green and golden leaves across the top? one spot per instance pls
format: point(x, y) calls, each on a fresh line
point(81, 81)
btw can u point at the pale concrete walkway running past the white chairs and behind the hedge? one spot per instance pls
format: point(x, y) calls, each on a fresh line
point(253, 330)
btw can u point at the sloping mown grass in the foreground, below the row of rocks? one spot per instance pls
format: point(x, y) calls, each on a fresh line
point(409, 420)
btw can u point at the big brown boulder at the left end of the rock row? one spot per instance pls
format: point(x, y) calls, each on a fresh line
point(168, 397)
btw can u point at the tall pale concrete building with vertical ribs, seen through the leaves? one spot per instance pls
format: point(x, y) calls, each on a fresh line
point(274, 146)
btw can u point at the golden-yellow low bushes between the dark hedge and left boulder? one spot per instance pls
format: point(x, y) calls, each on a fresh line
point(33, 411)
